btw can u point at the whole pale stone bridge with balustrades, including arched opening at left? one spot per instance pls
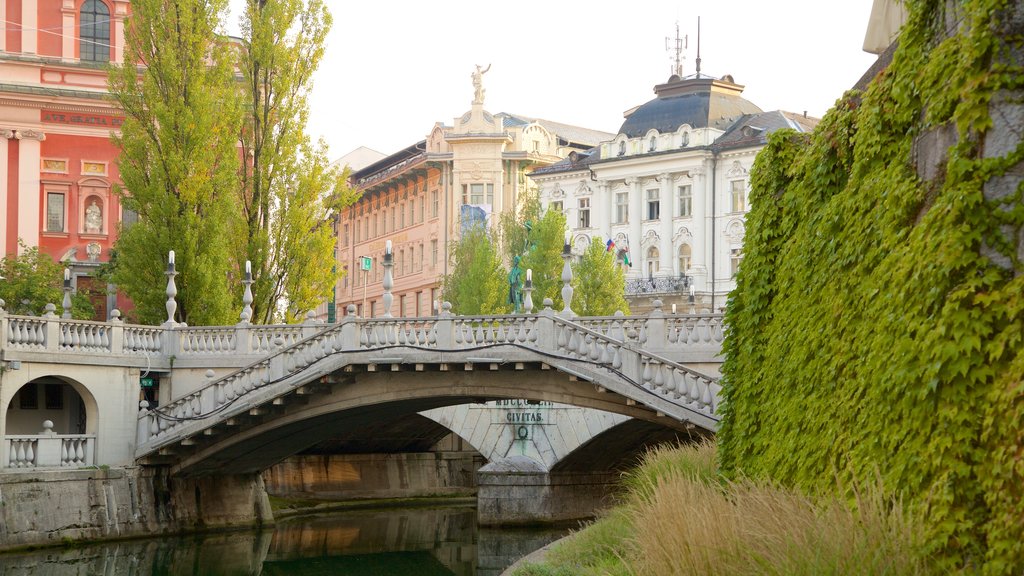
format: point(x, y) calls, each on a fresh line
point(241, 397)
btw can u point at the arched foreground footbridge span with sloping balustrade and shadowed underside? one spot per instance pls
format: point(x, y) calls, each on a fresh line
point(252, 420)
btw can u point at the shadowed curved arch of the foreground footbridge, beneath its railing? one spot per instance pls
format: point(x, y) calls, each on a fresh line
point(359, 400)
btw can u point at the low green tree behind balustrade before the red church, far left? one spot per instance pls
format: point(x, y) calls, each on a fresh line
point(33, 280)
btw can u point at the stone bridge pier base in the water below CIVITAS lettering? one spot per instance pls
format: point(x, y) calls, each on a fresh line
point(521, 491)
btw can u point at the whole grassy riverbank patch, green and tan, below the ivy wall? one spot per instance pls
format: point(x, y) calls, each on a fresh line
point(680, 517)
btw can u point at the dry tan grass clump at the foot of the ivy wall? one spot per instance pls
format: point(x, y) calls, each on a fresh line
point(692, 526)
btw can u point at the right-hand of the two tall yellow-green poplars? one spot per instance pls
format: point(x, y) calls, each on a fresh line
point(289, 191)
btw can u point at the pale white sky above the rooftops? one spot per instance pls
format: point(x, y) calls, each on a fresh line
point(393, 69)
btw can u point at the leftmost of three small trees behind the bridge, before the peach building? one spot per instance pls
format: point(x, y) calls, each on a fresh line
point(478, 283)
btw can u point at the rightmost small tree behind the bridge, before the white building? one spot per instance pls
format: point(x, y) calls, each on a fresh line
point(600, 282)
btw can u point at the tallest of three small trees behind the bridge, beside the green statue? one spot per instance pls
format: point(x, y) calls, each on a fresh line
point(537, 237)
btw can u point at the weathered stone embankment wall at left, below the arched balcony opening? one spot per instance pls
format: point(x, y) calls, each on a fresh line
point(39, 509)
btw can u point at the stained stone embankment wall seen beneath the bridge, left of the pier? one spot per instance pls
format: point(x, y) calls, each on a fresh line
point(375, 476)
